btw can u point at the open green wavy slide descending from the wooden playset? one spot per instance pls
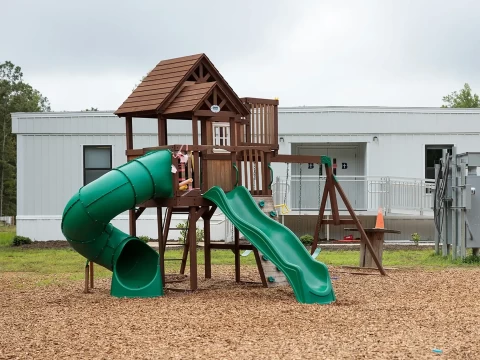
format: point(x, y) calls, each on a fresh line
point(308, 277)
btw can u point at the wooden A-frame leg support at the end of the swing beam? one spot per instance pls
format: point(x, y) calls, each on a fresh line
point(331, 185)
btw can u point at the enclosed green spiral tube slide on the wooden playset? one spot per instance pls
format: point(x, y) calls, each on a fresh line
point(87, 216)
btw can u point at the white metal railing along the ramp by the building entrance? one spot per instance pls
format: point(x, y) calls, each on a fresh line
point(365, 193)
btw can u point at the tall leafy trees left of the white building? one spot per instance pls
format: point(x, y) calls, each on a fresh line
point(15, 96)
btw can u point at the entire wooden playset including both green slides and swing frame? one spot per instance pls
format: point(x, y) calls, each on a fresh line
point(226, 166)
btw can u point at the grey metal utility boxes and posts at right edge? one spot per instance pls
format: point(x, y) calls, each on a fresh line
point(456, 208)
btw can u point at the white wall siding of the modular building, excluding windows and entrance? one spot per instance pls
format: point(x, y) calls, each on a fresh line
point(49, 150)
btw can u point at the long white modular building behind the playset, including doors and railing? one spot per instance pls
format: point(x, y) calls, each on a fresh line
point(382, 157)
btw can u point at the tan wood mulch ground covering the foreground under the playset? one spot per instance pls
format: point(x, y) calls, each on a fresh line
point(402, 316)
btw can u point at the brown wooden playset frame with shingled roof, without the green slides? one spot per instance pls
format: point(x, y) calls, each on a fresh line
point(234, 142)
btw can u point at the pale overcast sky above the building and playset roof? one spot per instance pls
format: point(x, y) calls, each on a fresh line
point(82, 54)
